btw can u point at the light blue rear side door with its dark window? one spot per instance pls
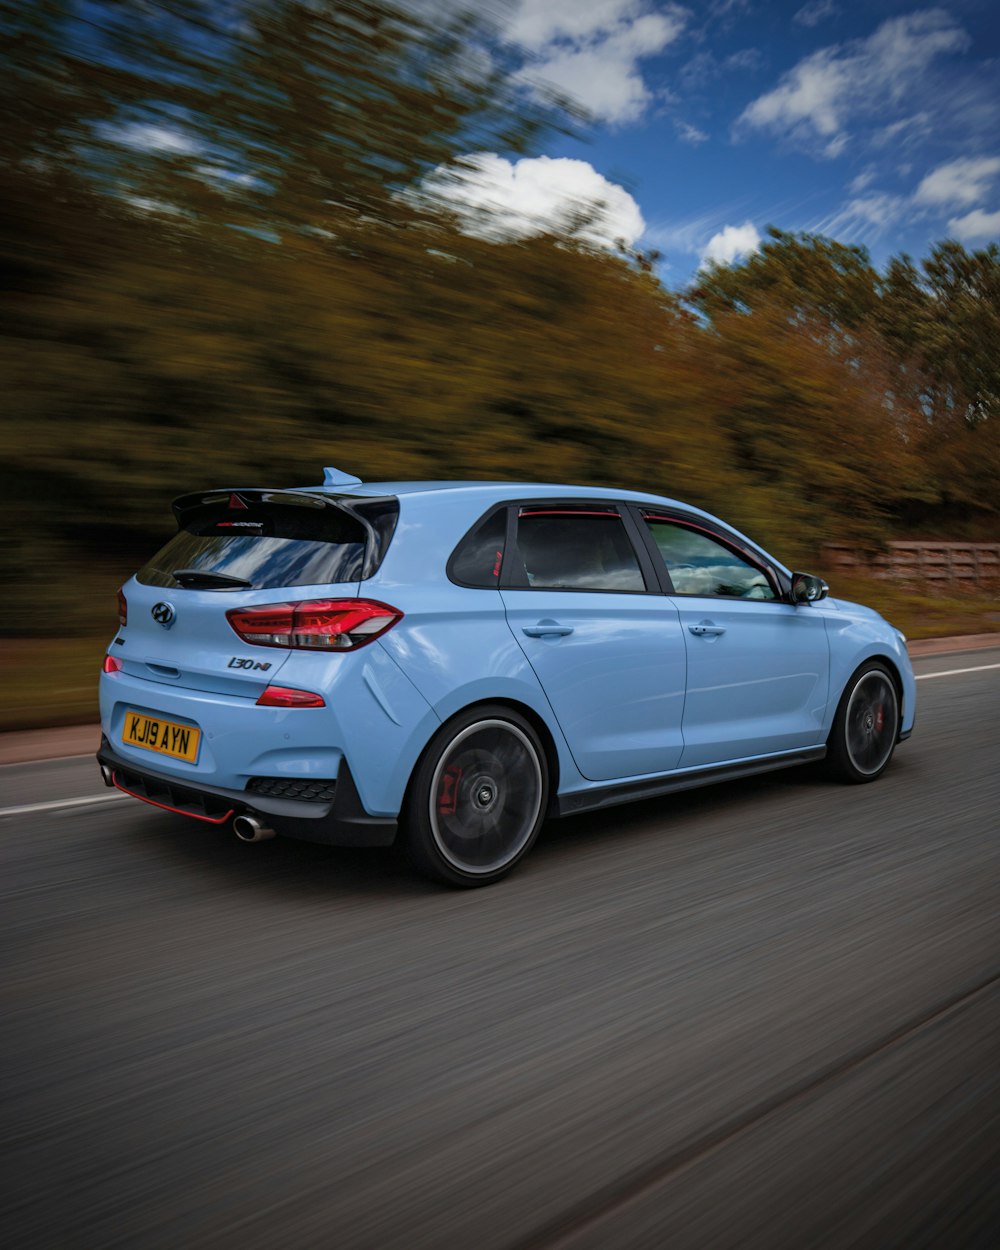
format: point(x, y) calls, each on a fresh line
point(604, 643)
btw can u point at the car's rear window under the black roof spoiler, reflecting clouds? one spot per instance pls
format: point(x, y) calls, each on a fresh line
point(268, 546)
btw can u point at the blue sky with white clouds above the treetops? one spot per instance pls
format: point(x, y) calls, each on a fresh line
point(874, 123)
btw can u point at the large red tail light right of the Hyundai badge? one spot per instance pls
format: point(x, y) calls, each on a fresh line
point(316, 624)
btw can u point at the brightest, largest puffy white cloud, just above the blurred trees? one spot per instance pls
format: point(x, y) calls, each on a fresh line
point(501, 201)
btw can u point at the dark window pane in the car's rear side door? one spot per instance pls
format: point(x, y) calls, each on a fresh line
point(576, 549)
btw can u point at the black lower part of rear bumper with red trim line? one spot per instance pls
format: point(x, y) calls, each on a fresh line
point(341, 821)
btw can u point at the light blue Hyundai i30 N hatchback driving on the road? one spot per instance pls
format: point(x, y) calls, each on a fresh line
point(453, 663)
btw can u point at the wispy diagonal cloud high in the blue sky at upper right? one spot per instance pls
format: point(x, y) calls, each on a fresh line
point(819, 96)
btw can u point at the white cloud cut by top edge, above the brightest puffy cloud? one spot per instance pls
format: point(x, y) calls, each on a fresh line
point(592, 49)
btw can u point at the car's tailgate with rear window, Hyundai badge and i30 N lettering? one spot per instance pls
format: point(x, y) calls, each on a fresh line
point(236, 551)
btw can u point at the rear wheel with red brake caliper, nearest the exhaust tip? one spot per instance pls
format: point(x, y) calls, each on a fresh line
point(477, 799)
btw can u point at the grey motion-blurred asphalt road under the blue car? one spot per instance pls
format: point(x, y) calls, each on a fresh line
point(762, 1016)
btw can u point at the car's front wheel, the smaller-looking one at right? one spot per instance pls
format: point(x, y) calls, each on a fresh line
point(867, 726)
